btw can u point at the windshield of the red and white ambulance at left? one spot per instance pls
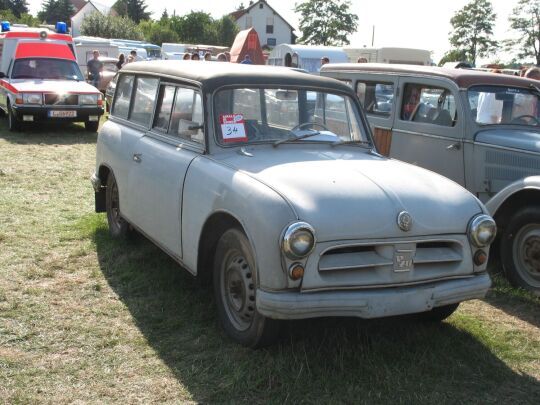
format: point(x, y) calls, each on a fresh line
point(44, 68)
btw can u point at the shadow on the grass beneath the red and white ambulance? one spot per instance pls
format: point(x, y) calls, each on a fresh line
point(48, 134)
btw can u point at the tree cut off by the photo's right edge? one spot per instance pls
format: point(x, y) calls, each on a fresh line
point(525, 19)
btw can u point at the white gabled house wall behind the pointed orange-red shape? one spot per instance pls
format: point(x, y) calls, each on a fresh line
point(257, 18)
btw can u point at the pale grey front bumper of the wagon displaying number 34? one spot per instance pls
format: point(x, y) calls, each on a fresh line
point(371, 303)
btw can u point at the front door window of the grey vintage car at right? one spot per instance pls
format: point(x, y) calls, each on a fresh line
point(429, 104)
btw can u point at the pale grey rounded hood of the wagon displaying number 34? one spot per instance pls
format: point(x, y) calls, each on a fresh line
point(345, 193)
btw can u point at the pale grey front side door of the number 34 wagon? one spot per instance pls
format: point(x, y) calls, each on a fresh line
point(161, 160)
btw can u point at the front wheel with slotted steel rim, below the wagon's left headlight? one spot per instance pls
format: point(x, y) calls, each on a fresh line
point(235, 284)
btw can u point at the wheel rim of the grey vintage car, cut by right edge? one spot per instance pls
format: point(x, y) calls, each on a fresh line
point(526, 252)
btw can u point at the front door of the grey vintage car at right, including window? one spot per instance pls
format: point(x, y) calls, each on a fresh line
point(428, 126)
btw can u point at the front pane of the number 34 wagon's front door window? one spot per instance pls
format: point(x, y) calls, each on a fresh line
point(187, 116)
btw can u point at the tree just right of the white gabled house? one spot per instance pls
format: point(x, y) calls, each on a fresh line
point(325, 22)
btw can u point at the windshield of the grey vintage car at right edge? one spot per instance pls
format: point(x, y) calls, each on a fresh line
point(504, 105)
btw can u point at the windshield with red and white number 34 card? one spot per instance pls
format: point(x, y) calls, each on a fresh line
point(249, 115)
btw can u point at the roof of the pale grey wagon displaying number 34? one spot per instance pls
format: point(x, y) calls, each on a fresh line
point(217, 74)
